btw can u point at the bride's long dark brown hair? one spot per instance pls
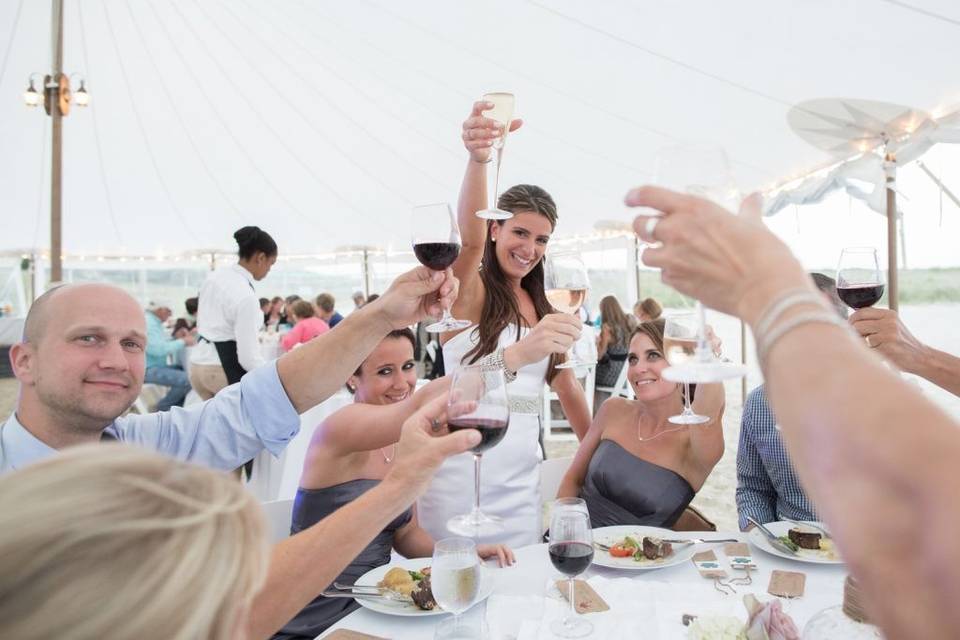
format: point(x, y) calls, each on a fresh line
point(500, 306)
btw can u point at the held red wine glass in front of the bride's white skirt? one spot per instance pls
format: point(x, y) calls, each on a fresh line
point(478, 400)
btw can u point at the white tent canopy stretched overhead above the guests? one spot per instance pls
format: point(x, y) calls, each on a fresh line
point(324, 122)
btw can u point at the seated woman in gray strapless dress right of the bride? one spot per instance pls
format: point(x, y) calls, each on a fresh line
point(636, 467)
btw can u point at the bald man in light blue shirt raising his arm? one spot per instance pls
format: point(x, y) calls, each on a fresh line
point(81, 366)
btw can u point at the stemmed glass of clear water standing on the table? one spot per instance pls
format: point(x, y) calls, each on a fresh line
point(455, 582)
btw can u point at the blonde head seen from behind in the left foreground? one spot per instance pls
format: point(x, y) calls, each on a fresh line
point(111, 541)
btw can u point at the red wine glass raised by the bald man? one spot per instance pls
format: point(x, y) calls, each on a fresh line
point(436, 243)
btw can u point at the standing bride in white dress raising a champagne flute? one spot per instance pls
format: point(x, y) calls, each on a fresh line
point(501, 293)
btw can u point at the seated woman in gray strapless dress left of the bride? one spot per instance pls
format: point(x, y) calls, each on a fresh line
point(351, 452)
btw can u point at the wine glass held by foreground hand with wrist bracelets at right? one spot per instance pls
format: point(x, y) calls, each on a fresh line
point(702, 171)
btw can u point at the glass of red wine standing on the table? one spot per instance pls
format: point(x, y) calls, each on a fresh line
point(571, 552)
